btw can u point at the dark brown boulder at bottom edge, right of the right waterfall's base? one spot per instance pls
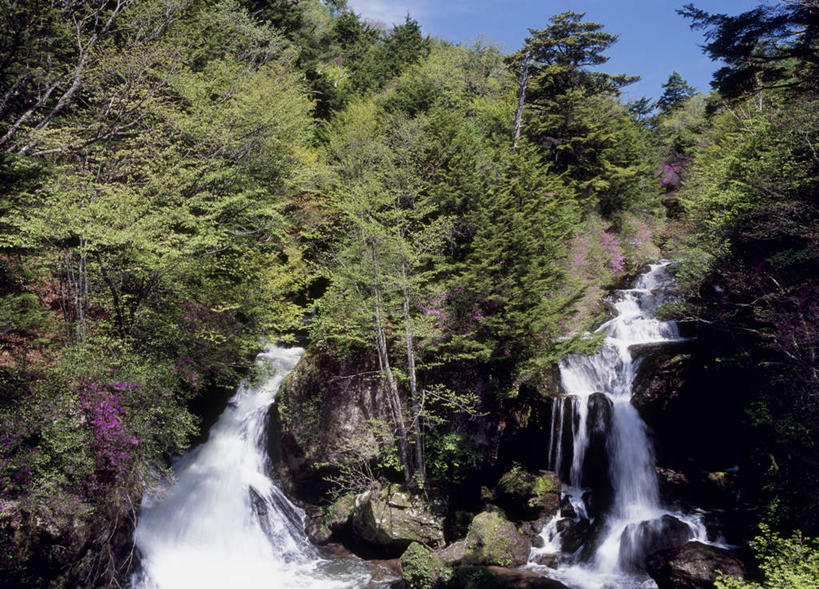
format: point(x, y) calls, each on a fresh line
point(692, 566)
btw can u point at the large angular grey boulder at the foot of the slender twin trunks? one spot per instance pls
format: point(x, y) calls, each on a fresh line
point(393, 519)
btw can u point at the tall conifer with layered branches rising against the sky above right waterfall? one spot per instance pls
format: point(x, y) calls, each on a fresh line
point(604, 156)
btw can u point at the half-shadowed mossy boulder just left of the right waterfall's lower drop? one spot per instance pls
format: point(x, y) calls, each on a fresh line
point(526, 495)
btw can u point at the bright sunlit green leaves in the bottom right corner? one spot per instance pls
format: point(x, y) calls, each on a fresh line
point(785, 563)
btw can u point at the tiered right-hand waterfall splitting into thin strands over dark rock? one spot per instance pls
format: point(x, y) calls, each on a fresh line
point(596, 416)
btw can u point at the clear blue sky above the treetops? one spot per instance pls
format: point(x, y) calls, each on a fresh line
point(654, 40)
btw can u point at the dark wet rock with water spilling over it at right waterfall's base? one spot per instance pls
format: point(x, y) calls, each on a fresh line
point(640, 540)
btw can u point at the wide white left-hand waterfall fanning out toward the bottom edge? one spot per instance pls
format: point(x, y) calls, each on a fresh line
point(224, 523)
